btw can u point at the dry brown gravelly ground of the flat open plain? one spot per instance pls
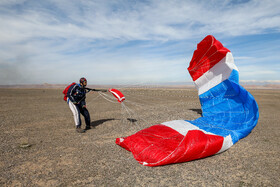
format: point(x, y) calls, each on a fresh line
point(40, 147)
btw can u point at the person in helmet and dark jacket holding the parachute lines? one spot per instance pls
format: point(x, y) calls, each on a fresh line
point(76, 99)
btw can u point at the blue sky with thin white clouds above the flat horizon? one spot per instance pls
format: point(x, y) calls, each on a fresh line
point(132, 42)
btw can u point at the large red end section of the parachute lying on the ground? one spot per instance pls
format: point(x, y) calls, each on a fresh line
point(161, 145)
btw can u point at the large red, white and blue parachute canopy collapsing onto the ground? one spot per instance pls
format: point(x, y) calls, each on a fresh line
point(229, 113)
